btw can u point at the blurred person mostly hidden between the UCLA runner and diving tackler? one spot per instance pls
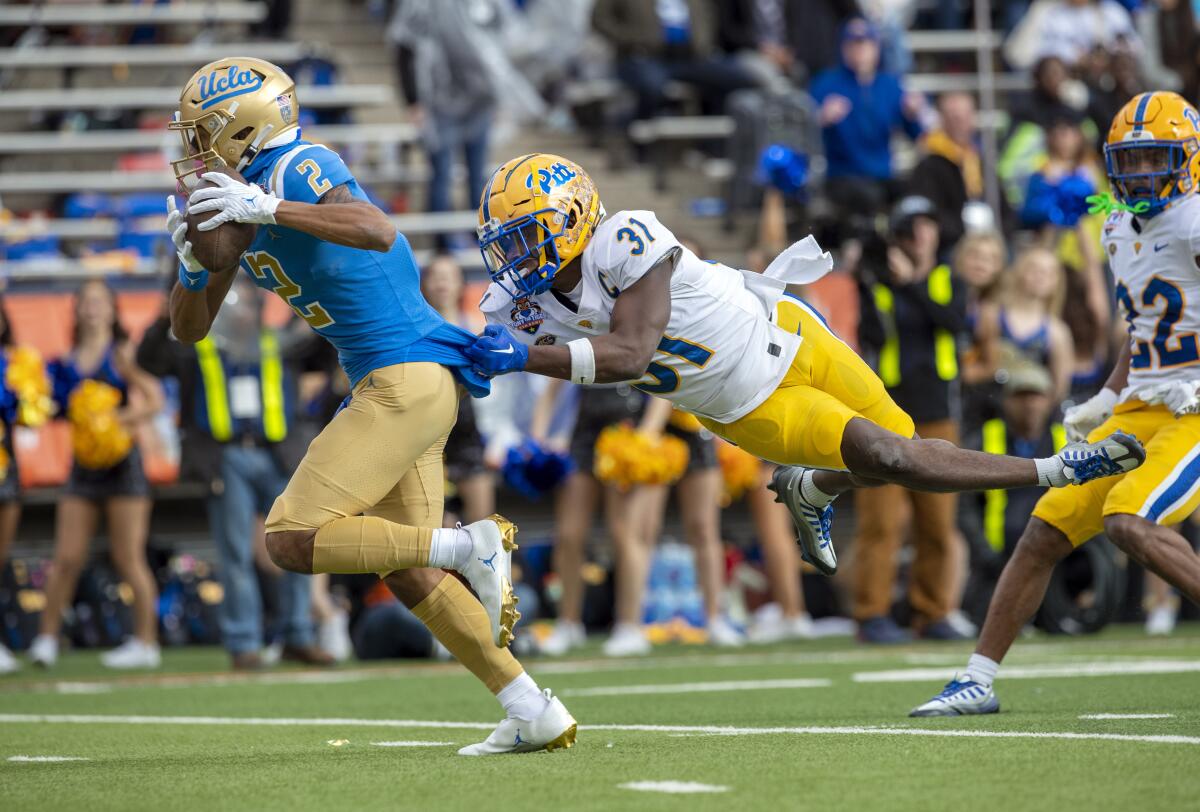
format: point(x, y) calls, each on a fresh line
point(442, 285)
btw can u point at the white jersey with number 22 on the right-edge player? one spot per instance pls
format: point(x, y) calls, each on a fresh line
point(1155, 262)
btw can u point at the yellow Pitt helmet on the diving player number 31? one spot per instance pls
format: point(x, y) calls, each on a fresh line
point(538, 213)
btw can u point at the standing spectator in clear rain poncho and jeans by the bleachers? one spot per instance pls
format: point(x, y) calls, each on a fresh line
point(453, 74)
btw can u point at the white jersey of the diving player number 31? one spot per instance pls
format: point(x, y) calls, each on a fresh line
point(722, 356)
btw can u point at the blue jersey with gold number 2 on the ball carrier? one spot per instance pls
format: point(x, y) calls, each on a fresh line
point(367, 304)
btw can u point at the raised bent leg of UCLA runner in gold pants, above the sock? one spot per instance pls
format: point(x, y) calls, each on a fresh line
point(317, 524)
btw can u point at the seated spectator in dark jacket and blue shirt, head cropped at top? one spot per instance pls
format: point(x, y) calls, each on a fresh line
point(663, 41)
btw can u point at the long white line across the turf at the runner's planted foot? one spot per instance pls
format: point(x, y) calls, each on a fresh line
point(718, 731)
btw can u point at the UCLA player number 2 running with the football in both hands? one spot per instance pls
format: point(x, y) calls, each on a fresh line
point(368, 497)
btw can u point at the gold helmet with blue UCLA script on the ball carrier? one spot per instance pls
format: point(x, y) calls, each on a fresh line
point(229, 111)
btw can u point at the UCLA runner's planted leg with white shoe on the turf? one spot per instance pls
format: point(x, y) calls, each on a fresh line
point(461, 624)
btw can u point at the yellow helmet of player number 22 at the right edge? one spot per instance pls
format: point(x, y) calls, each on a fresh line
point(1153, 155)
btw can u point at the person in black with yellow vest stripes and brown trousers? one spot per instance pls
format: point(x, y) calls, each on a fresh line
point(914, 312)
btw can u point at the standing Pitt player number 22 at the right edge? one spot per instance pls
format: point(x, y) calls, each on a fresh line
point(1153, 239)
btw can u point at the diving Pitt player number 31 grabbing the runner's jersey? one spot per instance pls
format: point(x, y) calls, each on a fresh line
point(595, 299)
